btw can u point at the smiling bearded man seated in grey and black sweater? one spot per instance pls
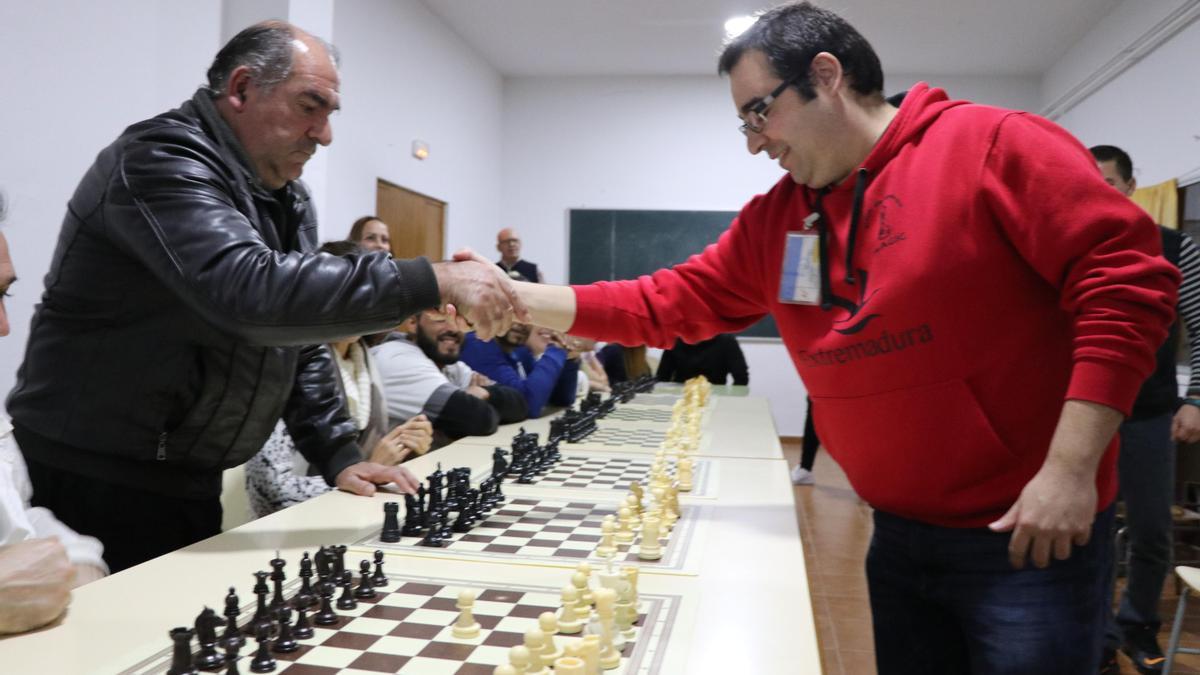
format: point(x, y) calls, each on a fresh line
point(422, 375)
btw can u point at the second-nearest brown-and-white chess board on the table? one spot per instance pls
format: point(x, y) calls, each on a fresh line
point(539, 530)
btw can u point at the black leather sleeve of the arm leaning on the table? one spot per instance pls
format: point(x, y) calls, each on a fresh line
point(317, 419)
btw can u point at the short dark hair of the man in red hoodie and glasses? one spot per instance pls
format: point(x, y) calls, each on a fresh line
point(791, 35)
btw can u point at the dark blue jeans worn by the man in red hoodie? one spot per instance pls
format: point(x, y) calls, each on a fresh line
point(947, 601)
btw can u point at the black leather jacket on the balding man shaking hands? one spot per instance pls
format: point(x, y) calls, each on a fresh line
point(184, 315)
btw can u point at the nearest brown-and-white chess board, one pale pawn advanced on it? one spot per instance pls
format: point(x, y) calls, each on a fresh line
point(407, 629)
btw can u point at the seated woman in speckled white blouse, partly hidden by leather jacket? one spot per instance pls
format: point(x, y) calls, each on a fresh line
point(279, 476)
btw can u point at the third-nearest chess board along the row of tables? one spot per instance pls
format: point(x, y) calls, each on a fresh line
point(614, 473)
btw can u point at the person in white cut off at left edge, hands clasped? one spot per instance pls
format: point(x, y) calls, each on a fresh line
point(41, 559)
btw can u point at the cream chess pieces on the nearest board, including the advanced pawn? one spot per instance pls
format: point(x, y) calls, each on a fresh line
point(603, 608)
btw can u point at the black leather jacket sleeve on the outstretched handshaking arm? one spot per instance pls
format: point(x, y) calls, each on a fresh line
point(212, 240)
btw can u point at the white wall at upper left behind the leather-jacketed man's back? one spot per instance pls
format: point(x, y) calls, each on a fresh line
point(76, 74)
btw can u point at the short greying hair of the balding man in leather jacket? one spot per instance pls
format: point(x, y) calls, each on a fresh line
point(267, 50)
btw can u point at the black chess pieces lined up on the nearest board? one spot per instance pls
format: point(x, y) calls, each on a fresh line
point(272, 624)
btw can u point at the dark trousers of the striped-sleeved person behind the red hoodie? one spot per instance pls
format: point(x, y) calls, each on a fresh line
point(1147, 468)
